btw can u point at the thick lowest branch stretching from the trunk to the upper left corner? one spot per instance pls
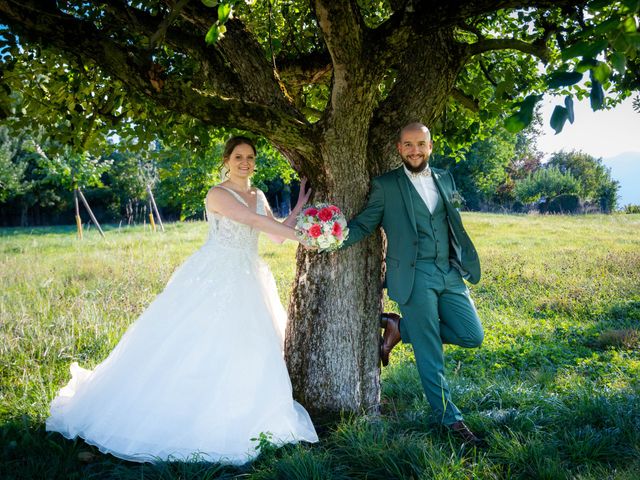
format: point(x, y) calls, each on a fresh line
point(134, 69)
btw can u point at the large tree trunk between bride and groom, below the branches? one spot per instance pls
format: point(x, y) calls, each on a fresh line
point(332, 338)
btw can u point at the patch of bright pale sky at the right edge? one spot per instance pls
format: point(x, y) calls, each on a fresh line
point(605, 133)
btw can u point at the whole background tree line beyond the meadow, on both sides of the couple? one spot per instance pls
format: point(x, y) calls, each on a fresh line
point(503, 172)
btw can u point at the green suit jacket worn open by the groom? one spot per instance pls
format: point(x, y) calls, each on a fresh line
point(390, 205)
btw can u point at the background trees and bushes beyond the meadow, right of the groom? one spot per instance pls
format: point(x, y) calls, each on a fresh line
point(505, 172)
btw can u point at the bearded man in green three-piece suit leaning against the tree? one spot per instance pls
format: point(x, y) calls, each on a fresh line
point(428, 255)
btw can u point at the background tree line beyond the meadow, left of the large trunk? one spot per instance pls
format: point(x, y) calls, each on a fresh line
point(38, 176)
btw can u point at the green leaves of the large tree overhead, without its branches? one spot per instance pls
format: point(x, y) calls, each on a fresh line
point(84, 106)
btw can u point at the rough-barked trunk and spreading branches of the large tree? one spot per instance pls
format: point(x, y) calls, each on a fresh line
point(332, 339)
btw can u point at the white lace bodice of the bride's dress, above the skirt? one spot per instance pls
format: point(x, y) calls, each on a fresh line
point(226, 233)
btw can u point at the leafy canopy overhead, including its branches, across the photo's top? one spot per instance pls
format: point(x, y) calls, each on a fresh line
point(272, 67)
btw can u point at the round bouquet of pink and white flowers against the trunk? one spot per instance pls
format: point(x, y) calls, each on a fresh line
point(322, 226)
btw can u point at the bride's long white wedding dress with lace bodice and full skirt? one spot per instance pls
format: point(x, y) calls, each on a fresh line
point(200, 374)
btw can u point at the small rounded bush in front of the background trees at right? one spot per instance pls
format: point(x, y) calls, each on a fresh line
point(546, 183)
